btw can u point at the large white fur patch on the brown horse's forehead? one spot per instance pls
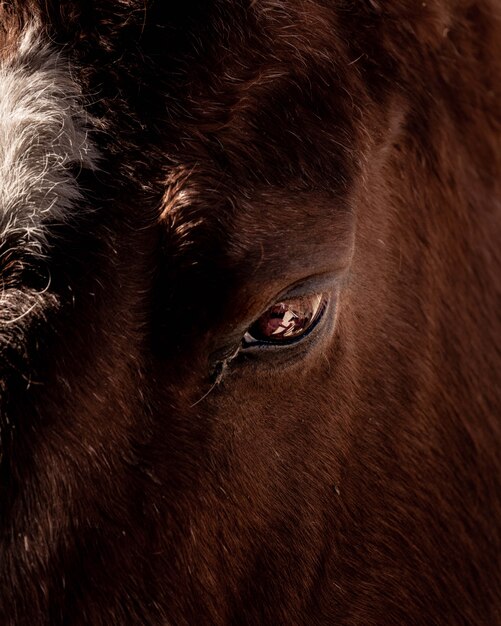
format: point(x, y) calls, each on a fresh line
point(43, 141)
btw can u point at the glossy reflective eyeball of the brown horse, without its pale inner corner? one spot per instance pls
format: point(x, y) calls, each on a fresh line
point(288, 319)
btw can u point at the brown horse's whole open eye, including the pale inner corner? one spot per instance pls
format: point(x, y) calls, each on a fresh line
point(287, 321)
